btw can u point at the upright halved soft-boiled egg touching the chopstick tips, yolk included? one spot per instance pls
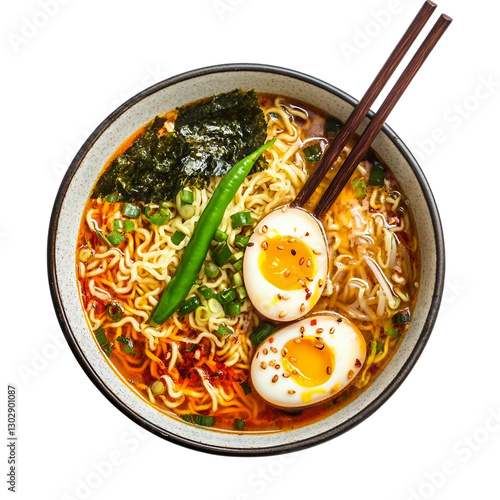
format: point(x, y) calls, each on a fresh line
point(286, 264)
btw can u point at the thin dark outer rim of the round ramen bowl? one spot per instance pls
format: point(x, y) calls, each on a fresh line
point(300, 444)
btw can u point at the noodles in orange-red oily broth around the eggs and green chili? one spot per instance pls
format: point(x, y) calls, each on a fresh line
point(373, 255)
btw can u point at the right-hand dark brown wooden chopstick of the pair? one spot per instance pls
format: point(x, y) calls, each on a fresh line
point(364, 142)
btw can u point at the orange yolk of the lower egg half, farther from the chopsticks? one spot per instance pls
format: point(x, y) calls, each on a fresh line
point(309, 361)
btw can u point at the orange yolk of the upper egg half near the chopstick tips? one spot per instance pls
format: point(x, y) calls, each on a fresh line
point(287, 263)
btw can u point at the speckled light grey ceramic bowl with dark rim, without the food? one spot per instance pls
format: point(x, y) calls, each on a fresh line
point(75, 190)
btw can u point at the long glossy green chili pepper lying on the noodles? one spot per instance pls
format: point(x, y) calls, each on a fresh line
point(196, 250)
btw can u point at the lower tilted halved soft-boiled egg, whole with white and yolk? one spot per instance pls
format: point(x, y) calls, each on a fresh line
point(308, 361)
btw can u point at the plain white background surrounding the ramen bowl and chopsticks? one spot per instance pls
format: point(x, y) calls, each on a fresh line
point(64, 72)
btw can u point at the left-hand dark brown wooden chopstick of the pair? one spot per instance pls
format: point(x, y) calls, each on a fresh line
point(359, 112)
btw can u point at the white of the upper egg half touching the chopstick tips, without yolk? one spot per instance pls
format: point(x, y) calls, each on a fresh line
point(269, 300)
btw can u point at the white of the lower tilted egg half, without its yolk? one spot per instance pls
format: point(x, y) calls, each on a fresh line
point(268, 370)
